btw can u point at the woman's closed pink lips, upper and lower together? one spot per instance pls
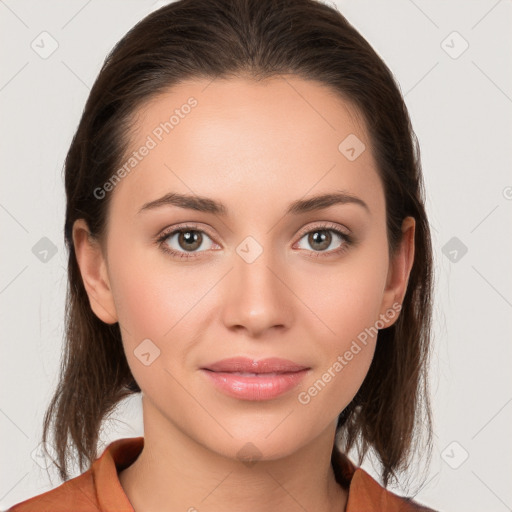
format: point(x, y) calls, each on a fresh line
point(273, 377)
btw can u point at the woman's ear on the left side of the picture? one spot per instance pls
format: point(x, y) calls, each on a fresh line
point(93, 269)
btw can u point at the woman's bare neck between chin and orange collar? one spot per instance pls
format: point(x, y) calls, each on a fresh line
point(174, 472)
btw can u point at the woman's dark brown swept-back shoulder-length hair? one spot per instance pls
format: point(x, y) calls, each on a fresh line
point(197, 39)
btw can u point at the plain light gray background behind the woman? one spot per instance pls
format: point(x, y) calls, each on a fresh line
point(461, 109)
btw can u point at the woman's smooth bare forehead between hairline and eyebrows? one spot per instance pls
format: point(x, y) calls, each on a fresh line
point(279, 137)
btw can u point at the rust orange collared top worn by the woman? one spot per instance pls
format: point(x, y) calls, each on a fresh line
point(98, 489)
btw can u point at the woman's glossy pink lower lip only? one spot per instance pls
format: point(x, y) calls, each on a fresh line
point(259, 387)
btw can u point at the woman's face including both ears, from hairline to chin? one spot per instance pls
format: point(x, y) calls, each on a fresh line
point(267, 273)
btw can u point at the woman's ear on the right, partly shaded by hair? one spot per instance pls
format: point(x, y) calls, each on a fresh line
point(398, 274)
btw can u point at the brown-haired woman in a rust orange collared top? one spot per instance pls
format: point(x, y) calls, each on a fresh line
point(249, 249)
